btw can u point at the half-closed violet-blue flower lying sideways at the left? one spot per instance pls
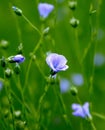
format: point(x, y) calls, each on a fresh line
point(17, 58)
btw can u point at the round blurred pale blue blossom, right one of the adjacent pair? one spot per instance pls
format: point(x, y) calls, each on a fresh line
point(77, 79)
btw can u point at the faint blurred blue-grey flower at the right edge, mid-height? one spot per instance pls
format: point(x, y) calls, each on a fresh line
point(99, 59)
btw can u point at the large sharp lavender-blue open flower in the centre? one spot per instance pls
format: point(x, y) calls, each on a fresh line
point(56, 62)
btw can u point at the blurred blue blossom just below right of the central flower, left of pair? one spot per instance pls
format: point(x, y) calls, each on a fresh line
point(64, 85)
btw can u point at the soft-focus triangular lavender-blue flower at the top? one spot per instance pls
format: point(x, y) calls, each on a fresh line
point(45, 9)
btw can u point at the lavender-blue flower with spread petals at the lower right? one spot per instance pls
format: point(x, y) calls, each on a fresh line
point(81, 111)
